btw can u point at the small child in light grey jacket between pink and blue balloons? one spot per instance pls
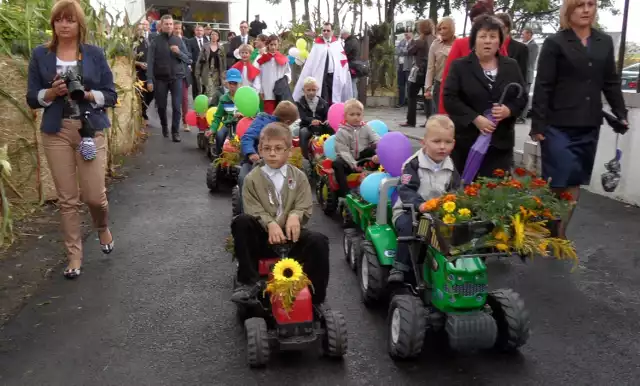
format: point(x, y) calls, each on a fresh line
point(354, 140)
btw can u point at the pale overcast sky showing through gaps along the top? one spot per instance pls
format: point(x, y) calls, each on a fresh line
point(282, 13)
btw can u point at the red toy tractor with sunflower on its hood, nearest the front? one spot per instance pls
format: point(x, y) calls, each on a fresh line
point(268, 326)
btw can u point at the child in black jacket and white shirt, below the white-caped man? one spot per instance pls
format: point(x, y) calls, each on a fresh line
point(313, 112)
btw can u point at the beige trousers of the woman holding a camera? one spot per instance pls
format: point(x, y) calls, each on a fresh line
point(75, 180)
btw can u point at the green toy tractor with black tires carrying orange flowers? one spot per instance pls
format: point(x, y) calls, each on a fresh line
point(450, 292)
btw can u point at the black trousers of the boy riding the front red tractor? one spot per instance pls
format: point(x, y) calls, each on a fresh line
point(251, 243)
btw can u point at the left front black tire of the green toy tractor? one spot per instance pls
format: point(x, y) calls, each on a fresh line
point(406, 327)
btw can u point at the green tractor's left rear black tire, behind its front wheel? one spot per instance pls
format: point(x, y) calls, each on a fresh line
point(372, 277)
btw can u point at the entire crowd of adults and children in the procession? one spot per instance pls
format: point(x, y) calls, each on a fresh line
point(478, 85)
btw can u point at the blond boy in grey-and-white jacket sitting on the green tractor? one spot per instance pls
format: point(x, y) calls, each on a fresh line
point(428, 174)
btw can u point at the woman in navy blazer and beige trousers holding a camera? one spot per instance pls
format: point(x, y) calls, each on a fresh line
point(65, 119)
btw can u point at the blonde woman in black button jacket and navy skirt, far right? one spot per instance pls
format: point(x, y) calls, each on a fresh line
point(575, 66)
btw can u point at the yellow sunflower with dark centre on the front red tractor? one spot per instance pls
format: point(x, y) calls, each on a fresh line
point(286, 282)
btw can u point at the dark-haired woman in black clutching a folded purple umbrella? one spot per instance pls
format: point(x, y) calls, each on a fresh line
point(473, 87)
